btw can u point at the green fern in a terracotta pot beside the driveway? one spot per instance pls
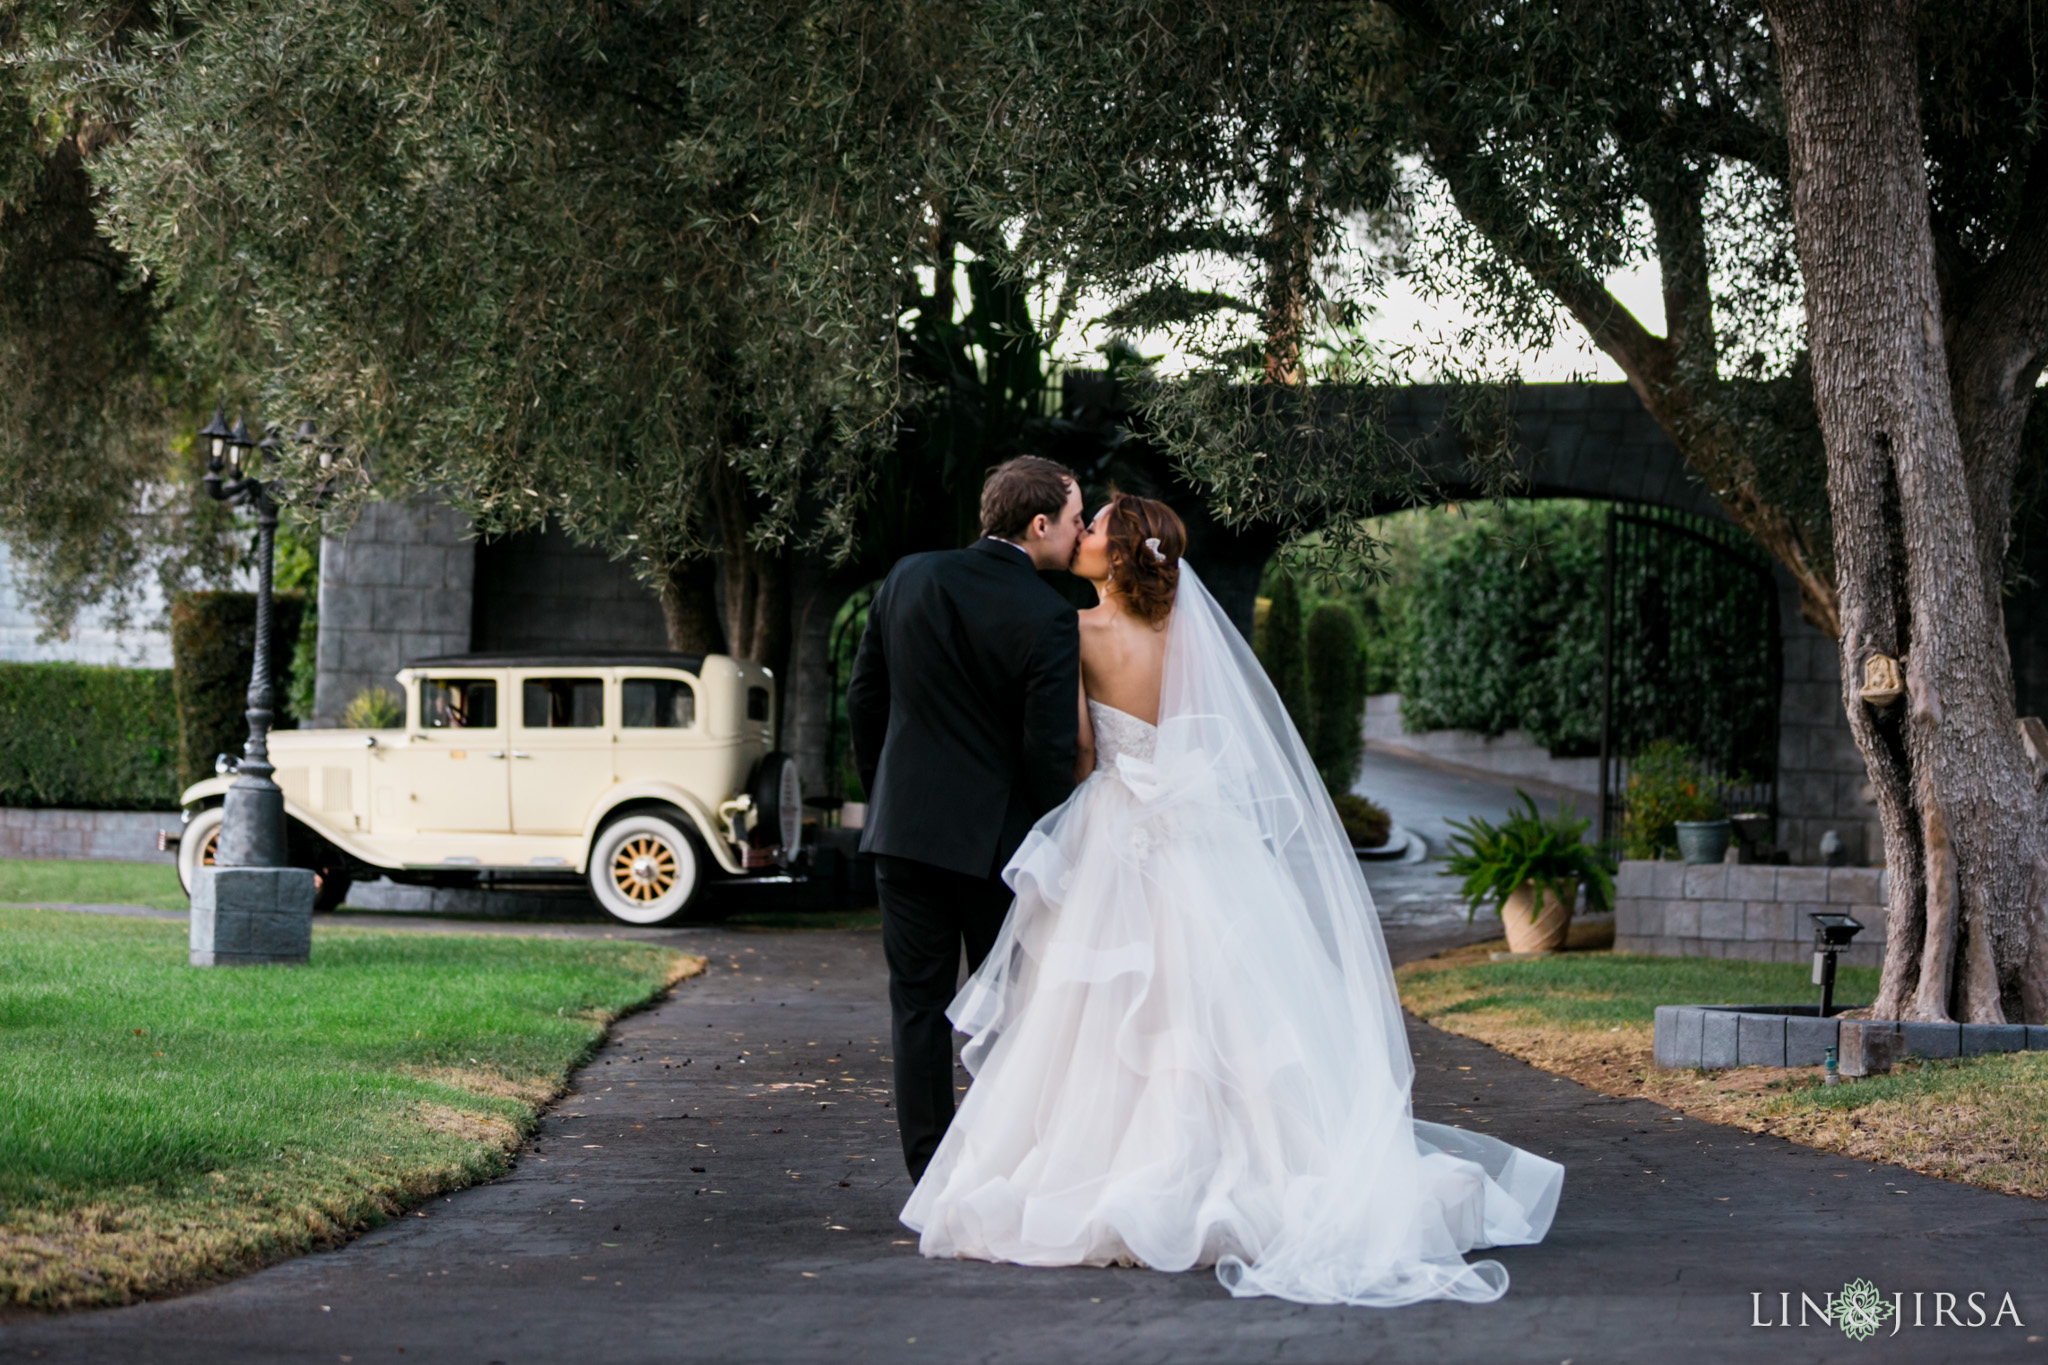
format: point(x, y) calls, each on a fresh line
point(1531, 871)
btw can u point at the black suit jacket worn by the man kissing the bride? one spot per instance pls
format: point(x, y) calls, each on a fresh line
point(964, 707)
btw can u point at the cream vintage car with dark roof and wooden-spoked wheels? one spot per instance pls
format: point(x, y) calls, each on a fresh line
point(644, 775)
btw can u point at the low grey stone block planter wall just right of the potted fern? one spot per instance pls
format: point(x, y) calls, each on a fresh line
point(1748, 912)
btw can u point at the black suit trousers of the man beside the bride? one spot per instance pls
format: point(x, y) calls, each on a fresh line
point(929, 918)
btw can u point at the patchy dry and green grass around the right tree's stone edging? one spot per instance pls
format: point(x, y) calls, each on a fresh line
point(1588, 1016)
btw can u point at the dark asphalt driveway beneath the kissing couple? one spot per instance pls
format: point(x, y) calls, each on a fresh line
point(722, 1186)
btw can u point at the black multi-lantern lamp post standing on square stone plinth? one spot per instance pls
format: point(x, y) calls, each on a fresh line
point(253, 822)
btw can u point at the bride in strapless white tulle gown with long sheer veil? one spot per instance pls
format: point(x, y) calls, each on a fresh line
point(1187, 1043)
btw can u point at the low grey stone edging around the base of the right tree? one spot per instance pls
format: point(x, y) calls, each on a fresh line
point(1721, 1037)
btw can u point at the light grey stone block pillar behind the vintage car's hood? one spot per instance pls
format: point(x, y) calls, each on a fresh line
point(396, 586)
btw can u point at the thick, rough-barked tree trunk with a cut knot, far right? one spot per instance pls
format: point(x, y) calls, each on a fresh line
point(1961, 828)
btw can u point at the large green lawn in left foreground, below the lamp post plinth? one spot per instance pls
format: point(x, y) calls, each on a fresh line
point(165, 1127)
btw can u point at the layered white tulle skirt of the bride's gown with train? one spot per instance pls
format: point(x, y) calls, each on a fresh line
point(1177, 1069)
